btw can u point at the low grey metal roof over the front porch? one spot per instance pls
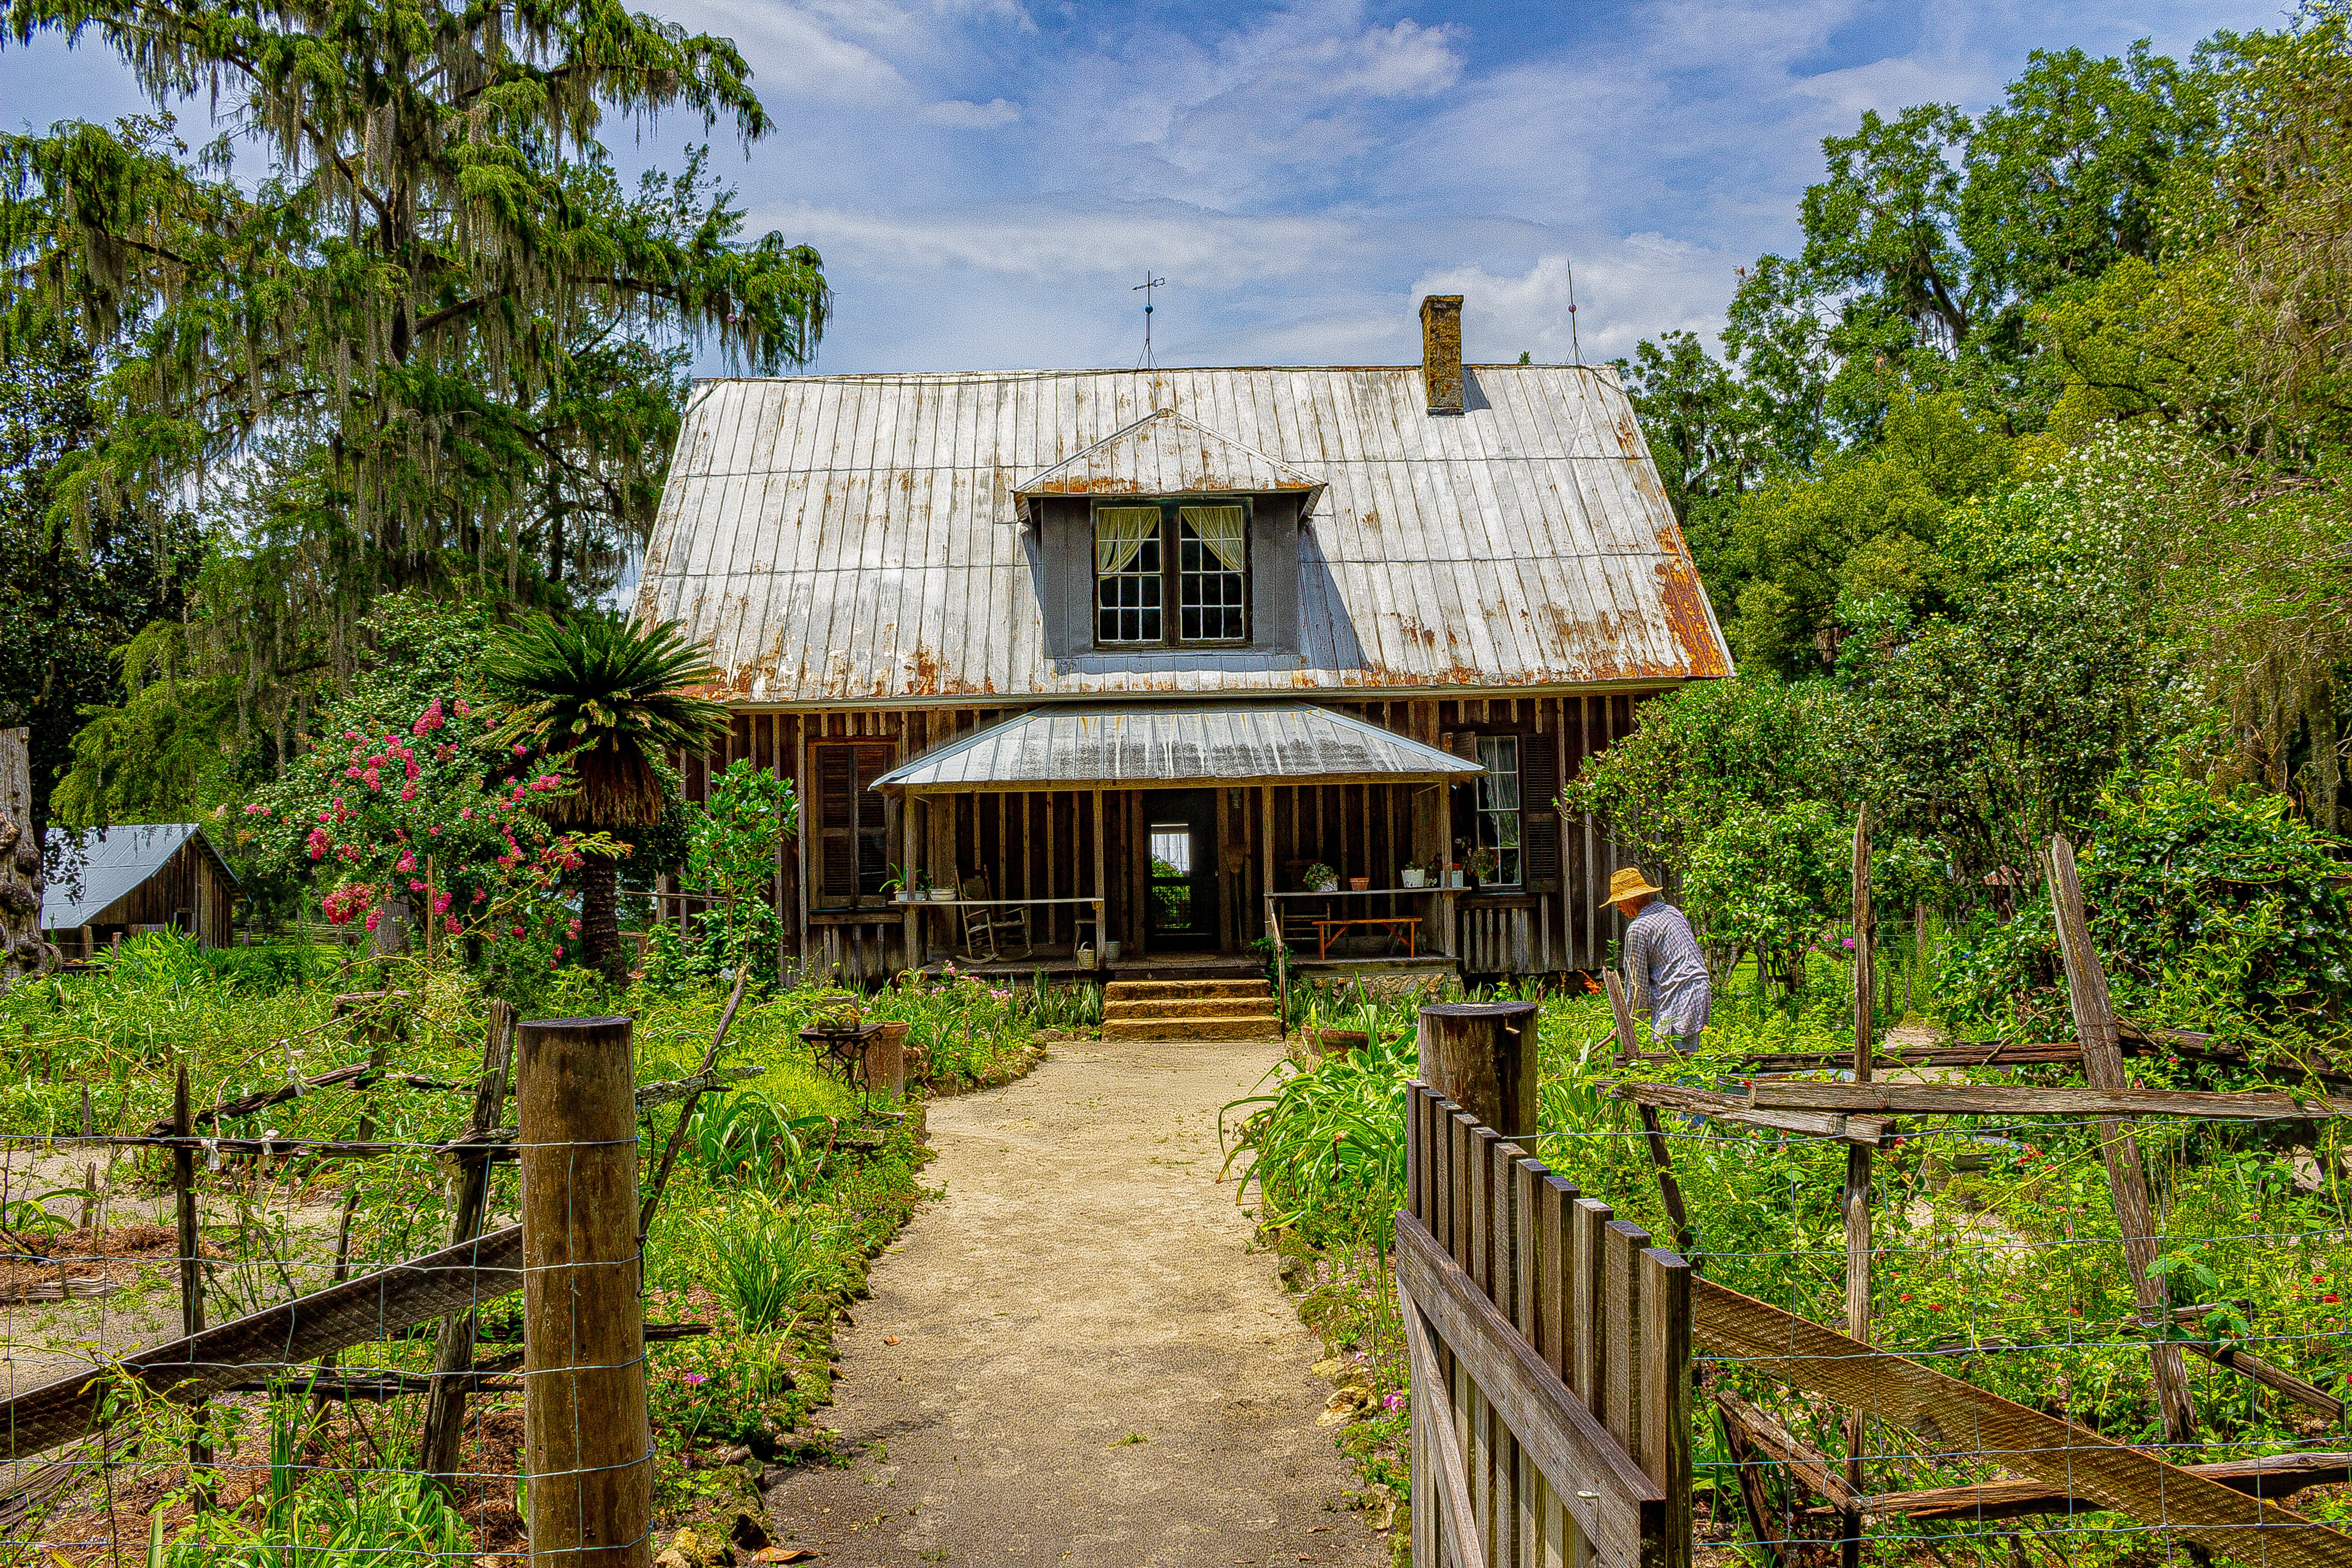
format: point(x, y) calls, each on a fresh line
point(1234, 744)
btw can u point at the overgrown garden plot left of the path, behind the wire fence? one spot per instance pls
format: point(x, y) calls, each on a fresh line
point(782, 1188)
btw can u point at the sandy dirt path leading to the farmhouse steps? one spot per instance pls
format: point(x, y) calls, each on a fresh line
point(1083, 1285)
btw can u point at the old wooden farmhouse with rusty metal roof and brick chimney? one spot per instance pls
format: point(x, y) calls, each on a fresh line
point(1123, 662)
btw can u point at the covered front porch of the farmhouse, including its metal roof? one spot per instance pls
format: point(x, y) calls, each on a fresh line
point(1170, 840)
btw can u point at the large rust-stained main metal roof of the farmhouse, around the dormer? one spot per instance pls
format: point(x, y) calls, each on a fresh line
point(836, 540)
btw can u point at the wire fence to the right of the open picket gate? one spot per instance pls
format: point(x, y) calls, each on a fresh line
point(1996, 1264)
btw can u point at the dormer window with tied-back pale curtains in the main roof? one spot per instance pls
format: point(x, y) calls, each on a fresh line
point(1170, 572)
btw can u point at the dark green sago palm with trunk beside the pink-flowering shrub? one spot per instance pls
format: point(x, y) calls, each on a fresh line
point(610, 697)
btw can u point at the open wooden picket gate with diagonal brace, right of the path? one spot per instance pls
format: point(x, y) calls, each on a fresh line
point(1551, 1360)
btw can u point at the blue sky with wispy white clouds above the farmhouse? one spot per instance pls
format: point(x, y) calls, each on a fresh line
point(989, 177)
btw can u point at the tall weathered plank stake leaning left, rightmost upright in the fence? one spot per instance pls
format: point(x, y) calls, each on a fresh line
point(2104, 1066)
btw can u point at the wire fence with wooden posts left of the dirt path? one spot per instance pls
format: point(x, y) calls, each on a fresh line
point(361, 1315)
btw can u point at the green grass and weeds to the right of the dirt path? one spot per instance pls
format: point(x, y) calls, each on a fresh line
point(1998, 1252)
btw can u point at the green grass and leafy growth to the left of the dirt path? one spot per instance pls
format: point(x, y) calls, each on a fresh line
point(766, 1231)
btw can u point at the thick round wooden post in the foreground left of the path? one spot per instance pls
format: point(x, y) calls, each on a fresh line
point(589, 1452)
